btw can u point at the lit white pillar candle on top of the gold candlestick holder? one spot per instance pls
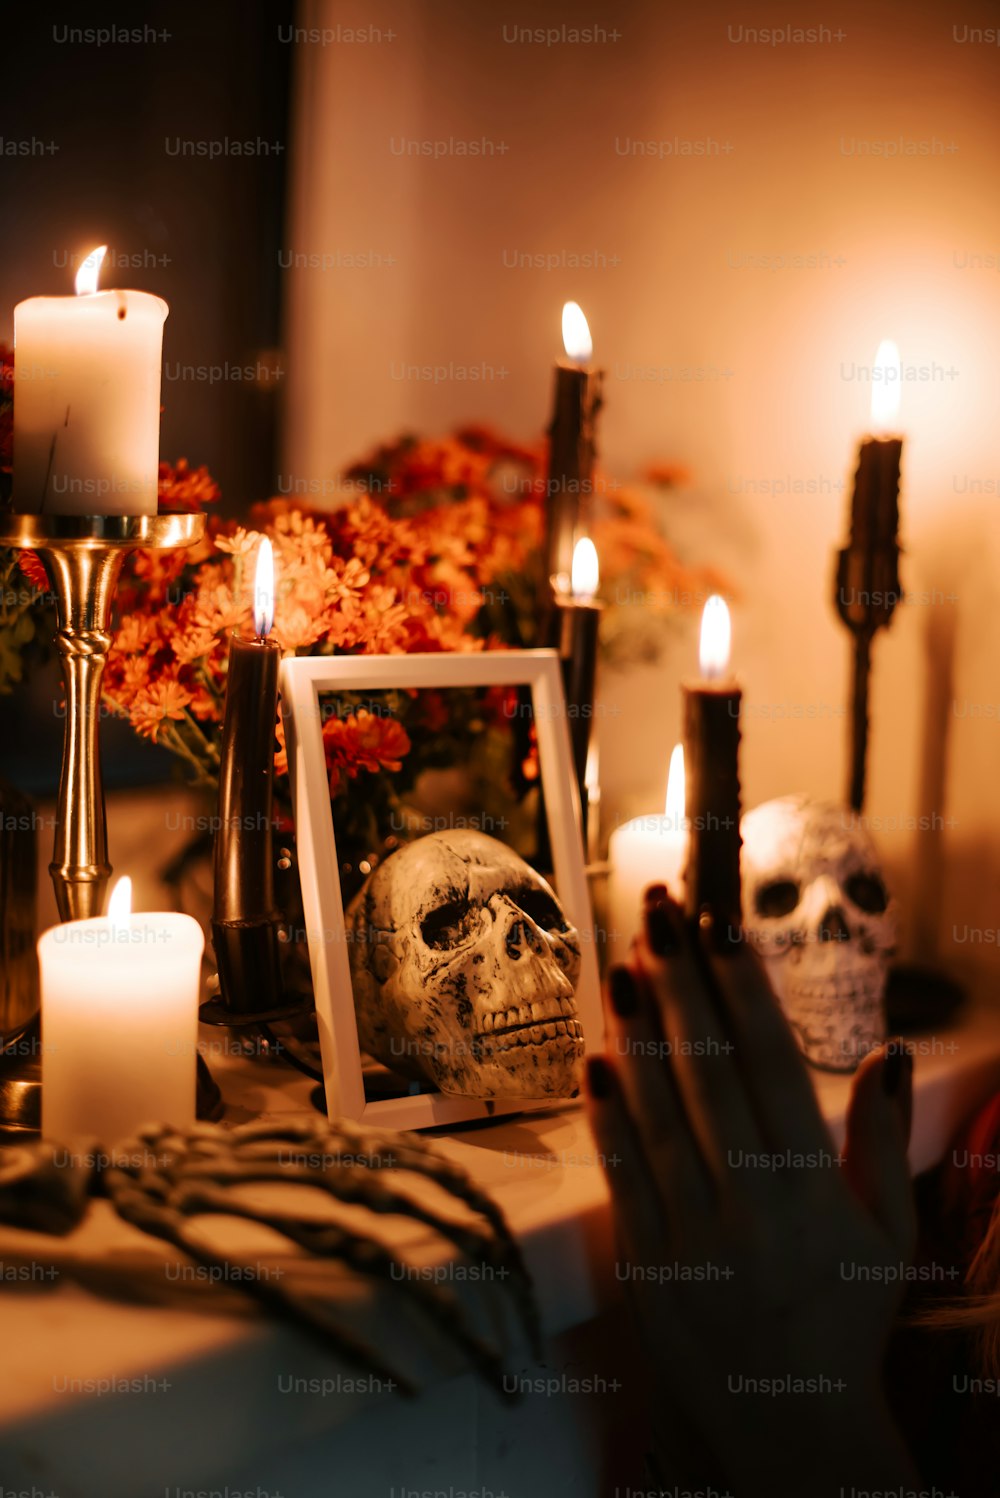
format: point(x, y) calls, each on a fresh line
point(88, 404)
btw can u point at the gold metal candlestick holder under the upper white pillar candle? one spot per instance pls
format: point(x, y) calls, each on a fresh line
point(83, 558)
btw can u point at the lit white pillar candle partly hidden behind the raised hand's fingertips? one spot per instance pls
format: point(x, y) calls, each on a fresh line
point(650, 850)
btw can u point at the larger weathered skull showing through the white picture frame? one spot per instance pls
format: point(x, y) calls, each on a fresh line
point(465, 971)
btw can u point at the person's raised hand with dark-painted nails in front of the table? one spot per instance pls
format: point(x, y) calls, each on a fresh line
point(764, 1267)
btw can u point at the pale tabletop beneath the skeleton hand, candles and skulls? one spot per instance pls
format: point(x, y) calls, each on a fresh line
point(540, 1168)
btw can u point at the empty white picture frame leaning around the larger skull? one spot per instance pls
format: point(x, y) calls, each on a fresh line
point(303, 682)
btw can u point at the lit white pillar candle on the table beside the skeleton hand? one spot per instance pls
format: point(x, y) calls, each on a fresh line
point(119, 1024)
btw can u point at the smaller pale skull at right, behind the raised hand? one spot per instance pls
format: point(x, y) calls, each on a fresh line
point(818, 913)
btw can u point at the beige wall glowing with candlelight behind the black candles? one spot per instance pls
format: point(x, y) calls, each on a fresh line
point(893, 237)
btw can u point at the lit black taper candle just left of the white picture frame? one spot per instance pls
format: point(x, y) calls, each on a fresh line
point(245, 921)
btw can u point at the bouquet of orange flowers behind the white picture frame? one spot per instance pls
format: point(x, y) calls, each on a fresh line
point(438, 549)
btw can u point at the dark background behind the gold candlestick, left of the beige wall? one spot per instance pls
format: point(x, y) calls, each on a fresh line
point(201, 233)
